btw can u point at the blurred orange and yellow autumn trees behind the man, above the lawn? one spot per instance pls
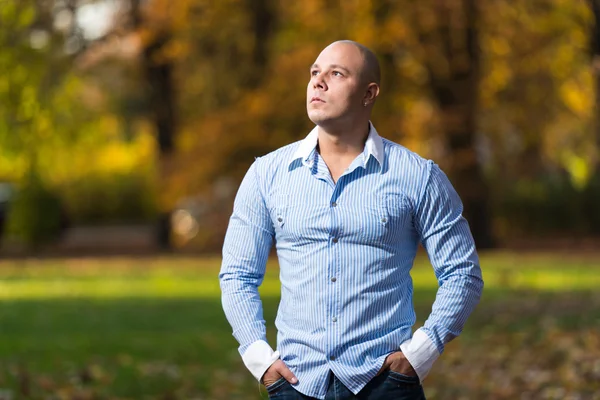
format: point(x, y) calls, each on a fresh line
point(500, 94)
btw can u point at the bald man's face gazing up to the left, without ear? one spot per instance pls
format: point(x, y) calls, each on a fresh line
point(335, 89)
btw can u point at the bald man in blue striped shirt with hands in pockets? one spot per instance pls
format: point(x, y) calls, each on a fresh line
point(346, 209)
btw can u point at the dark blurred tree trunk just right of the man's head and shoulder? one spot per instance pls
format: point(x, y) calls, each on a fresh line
point(452, 60)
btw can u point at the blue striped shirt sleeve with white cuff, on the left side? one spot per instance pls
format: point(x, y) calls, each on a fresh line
point(247, 244)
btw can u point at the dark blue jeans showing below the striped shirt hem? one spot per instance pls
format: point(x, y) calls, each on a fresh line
point(388, 385)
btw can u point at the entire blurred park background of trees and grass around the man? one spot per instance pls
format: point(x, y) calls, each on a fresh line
point(127, 125)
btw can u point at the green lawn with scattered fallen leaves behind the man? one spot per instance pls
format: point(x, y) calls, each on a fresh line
point(153, 328)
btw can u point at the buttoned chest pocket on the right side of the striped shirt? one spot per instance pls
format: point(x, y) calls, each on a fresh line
point(385, 220)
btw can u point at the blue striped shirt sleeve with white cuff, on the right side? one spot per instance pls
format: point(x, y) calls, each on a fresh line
point(446, 237)
